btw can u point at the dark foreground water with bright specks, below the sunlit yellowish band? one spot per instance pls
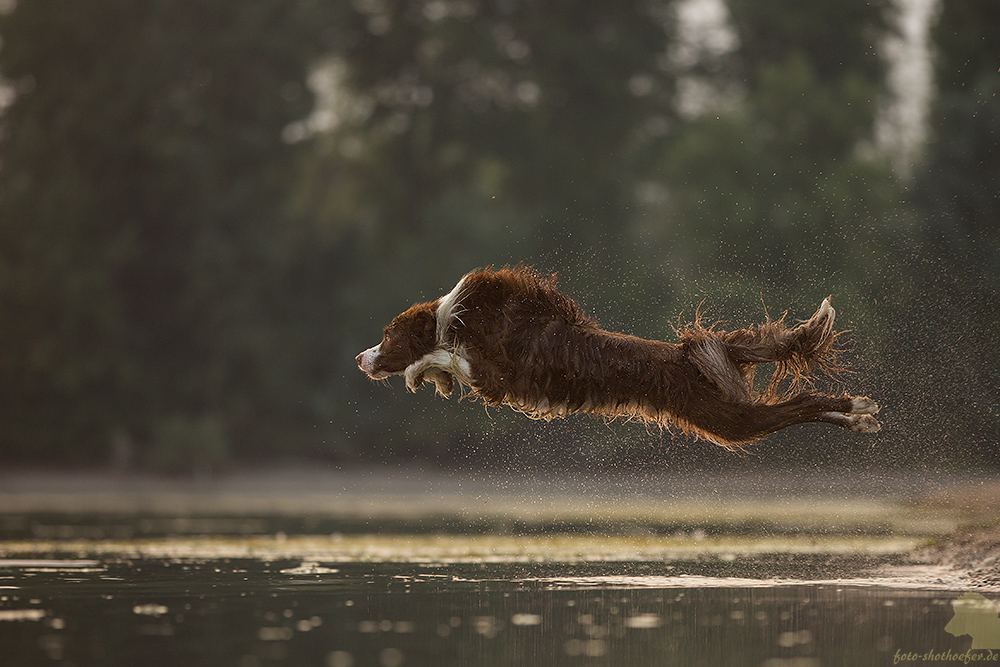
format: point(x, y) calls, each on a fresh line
point(772, 610)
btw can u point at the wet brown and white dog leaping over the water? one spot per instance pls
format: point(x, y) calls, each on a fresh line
point(512, 338)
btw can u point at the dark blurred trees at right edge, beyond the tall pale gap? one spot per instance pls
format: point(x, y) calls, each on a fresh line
point(952, 312)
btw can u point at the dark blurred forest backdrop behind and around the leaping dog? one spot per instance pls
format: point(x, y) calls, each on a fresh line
point(208, 208)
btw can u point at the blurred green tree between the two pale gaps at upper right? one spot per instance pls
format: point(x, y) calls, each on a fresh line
point(779, 180)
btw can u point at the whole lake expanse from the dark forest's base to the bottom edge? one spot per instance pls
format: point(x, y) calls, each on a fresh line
point(351, 571)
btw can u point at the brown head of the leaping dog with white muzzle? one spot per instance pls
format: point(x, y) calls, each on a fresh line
point(410, 336)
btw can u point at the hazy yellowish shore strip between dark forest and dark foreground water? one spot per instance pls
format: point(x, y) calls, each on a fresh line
point(939, 526)
